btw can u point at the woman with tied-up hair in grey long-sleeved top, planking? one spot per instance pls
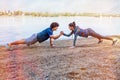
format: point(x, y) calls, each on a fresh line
point(77, 31)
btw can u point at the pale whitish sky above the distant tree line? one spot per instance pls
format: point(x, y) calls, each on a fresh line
point(78, 6)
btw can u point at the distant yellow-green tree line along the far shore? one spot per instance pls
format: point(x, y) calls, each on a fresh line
point(47, 14)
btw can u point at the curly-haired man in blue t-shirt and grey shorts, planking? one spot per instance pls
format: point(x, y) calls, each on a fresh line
point(39, 37)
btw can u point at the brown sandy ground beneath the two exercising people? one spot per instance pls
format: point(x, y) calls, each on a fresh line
point(89, 61)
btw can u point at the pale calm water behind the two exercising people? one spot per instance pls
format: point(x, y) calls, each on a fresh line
point(15, 28)
